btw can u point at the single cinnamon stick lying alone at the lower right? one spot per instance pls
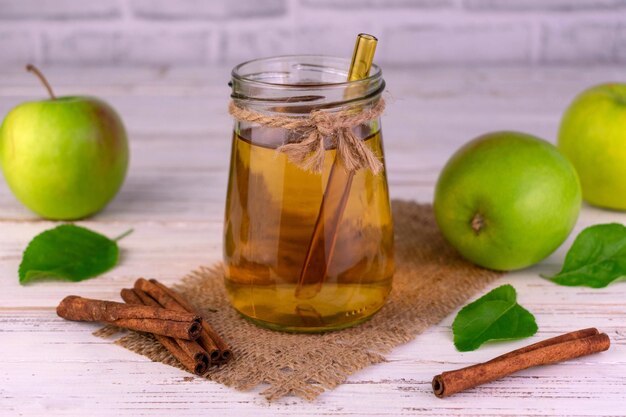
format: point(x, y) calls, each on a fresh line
point(567, 346)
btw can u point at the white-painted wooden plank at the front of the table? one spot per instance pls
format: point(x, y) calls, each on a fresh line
point(564, 388)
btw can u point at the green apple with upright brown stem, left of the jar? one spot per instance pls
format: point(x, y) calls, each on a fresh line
point(64, 158)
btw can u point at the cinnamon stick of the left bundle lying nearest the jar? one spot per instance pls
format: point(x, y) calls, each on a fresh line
point(168, 298)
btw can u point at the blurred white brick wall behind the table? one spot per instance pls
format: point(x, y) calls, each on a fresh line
point(411, 32)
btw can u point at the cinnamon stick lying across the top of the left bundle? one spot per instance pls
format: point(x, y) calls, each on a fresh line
point(178, 324)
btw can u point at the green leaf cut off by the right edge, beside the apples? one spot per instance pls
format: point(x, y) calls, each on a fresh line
point(597, 257)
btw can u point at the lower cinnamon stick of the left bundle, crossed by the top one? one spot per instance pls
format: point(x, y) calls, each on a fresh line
point(187, 352)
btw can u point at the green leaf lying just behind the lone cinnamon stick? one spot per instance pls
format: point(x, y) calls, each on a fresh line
point(495, 315)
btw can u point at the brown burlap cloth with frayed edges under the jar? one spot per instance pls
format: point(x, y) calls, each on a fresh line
point(430, 281)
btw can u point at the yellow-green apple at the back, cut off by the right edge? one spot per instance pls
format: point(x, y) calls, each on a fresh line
point(593, 137)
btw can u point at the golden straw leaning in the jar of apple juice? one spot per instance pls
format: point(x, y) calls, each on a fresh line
point(322, 245)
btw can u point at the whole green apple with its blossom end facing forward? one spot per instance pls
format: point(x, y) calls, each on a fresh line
point(507, 200)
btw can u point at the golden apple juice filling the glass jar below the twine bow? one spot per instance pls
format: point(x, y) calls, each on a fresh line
point(271, 210)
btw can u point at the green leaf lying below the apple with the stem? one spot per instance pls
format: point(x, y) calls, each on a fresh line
point(67, 252)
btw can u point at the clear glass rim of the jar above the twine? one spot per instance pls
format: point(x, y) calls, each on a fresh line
point(236, 73)
